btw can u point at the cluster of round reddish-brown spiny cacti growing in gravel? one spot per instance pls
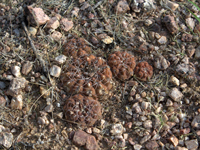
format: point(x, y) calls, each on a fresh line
point(88, 79)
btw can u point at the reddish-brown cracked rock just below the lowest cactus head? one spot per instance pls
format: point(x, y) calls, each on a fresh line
point(83, 139)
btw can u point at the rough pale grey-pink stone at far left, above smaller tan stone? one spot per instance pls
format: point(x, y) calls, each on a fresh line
point(16, 86)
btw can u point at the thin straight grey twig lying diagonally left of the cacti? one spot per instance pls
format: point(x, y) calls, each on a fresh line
point(38, 56)
